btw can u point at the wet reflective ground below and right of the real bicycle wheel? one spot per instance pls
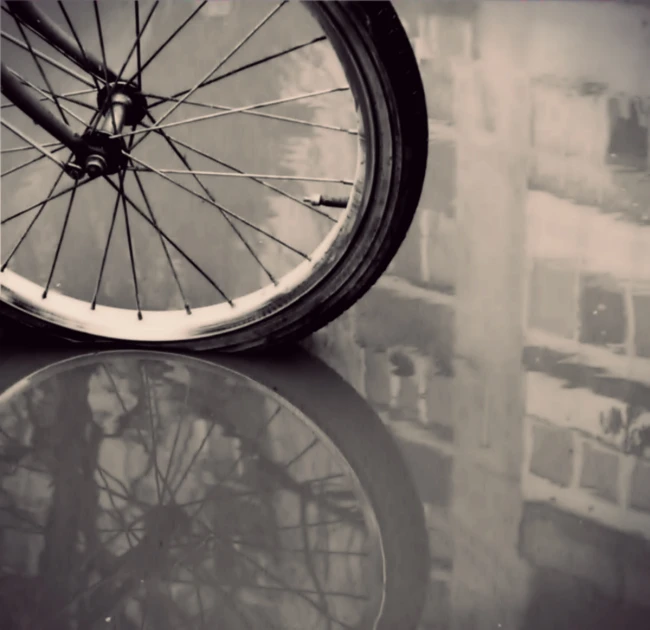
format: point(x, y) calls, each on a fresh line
point(506, 350)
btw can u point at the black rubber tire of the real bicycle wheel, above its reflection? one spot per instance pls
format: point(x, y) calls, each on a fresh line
point(402, 163)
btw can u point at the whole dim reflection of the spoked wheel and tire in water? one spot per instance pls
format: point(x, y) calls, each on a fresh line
point(152, 490)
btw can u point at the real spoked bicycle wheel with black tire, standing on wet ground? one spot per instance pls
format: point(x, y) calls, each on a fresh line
point(273, 176)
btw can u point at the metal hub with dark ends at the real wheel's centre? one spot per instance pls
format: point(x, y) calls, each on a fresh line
point(121, 105)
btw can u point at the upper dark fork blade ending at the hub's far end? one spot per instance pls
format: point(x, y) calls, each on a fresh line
point(55, 36)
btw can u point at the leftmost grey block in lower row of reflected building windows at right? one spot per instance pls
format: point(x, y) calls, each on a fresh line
point(552, 456)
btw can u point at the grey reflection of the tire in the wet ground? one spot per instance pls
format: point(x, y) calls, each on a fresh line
point(354, 429)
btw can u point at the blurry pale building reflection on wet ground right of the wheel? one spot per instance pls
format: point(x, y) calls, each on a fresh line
point(508, 345)
